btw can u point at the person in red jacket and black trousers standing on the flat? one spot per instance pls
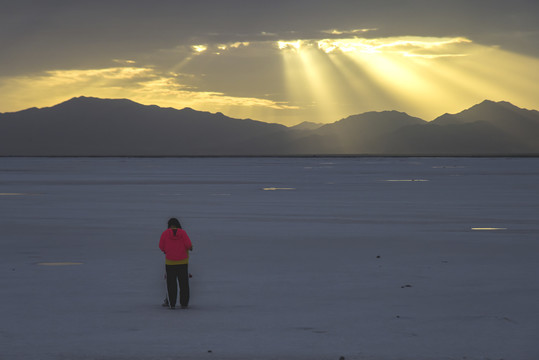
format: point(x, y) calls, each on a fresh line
point(175, 243)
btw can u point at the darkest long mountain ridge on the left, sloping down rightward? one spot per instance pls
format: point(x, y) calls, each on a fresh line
point(91, 126)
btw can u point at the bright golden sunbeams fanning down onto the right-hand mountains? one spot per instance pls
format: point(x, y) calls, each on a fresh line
point(419, 75)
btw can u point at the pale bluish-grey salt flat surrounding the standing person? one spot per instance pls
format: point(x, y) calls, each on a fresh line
point(341, 264)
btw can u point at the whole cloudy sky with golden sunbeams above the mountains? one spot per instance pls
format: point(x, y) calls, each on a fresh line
point(275, 61)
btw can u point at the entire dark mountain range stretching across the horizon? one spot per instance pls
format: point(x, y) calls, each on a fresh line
point(85, 126)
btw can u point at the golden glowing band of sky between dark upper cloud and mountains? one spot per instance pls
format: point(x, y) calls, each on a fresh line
point(294, 80)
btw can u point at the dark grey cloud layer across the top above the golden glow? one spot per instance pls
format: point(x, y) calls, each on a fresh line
point(37, 35)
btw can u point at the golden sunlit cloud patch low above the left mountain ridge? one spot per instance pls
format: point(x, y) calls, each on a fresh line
point(144, 85)
